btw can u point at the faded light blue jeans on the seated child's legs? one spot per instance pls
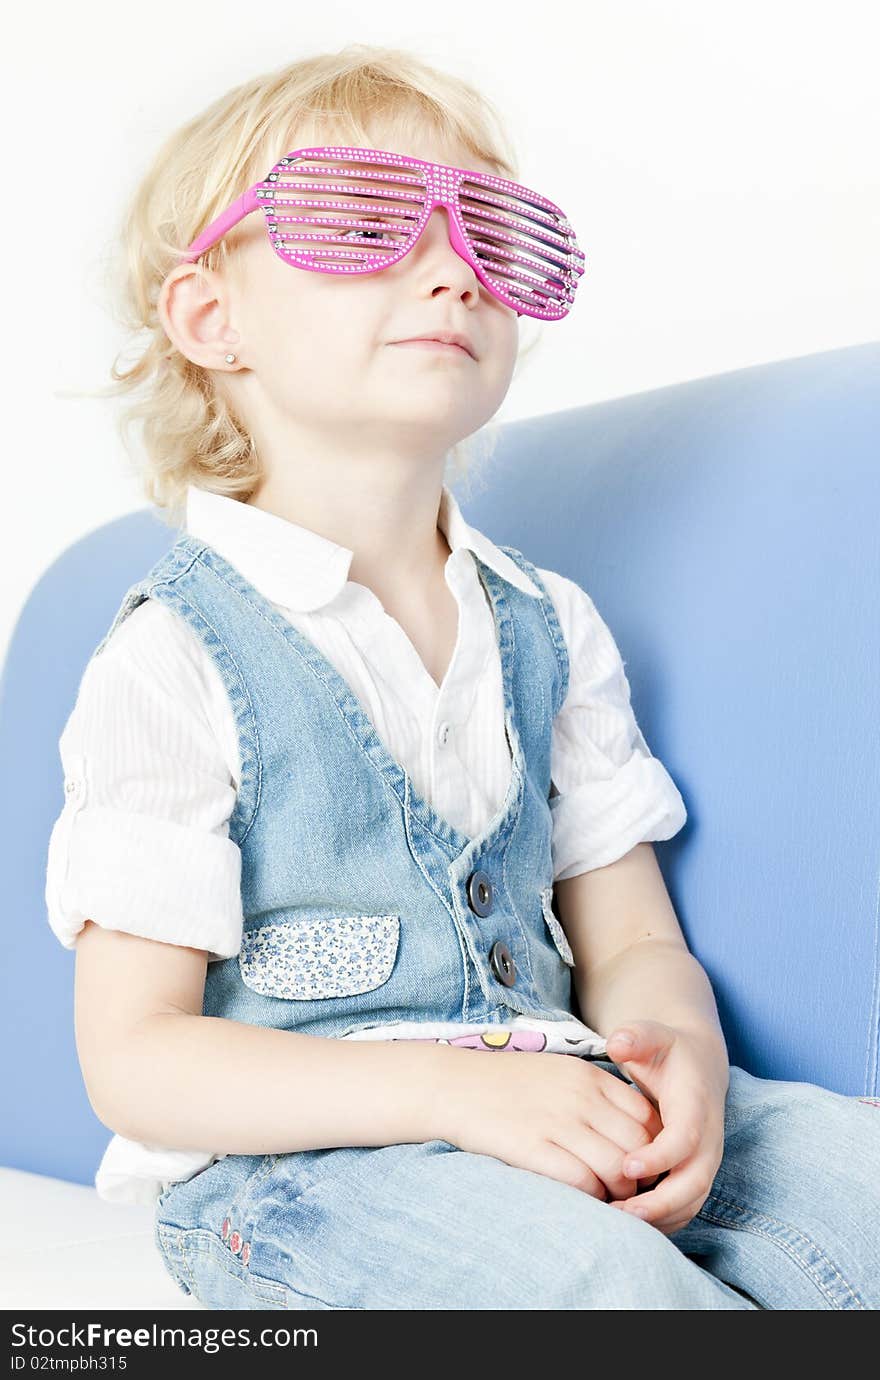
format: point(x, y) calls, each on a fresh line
point(792, 1222)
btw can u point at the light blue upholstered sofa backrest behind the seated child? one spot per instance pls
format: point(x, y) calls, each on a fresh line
point(728, 531)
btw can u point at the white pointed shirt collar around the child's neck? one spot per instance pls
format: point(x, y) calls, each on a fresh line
point(303, 571)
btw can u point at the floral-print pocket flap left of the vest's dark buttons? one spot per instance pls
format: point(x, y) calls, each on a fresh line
point(312, 957)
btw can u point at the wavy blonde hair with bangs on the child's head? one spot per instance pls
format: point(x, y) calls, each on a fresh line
point(190, 430)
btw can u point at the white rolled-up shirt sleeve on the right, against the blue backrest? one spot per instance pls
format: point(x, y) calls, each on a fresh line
point(609, 791)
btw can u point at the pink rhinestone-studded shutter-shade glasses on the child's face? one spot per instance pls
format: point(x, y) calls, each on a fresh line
point(442, 184)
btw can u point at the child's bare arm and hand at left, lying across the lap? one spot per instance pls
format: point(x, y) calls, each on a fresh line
point(159, 1073)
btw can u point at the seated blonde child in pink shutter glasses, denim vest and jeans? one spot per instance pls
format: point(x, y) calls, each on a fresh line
point(357, 798)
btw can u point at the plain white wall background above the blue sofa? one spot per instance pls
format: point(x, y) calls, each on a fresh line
point(718, 161)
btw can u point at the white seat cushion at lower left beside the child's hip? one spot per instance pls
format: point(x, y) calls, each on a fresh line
point(66, 1248)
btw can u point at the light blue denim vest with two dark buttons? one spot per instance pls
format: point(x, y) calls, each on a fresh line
point(362, 906)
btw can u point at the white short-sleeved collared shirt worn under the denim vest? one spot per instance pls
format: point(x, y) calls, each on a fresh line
point(151, 757)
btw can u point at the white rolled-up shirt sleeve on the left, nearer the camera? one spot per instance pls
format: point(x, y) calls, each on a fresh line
point(143, 840)
